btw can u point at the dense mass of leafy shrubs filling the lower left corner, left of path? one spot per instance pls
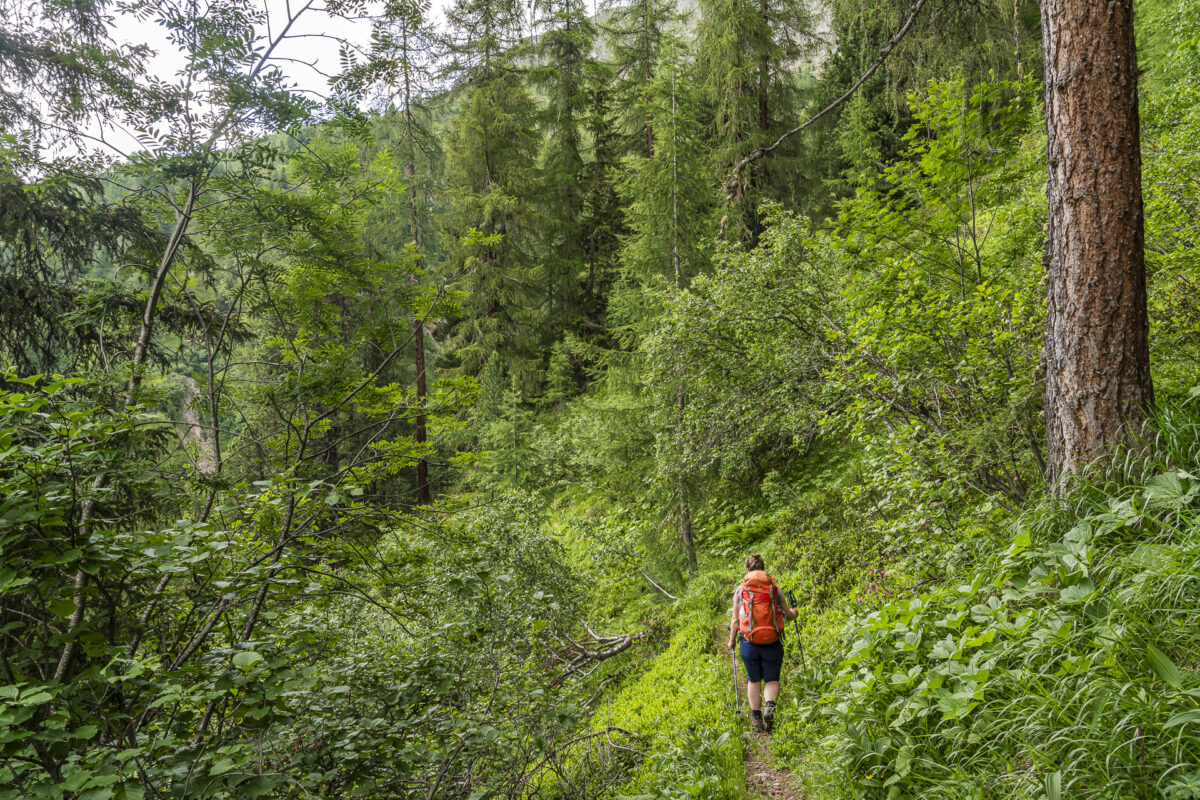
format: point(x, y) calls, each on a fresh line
point(451, 634)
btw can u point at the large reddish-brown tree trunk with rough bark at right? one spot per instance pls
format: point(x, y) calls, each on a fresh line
point(1099, 387)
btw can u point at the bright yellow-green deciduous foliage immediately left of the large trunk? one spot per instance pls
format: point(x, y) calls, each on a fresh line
point(944, 324)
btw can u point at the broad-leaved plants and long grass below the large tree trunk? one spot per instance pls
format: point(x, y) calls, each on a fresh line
point(1066, 667)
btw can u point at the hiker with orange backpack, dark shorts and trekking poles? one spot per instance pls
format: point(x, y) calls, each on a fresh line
point(760, 612)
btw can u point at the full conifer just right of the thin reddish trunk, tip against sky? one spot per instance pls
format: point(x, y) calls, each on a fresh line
point(490, 222)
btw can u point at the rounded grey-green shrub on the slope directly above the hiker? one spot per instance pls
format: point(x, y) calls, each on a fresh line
point(746, 344)
